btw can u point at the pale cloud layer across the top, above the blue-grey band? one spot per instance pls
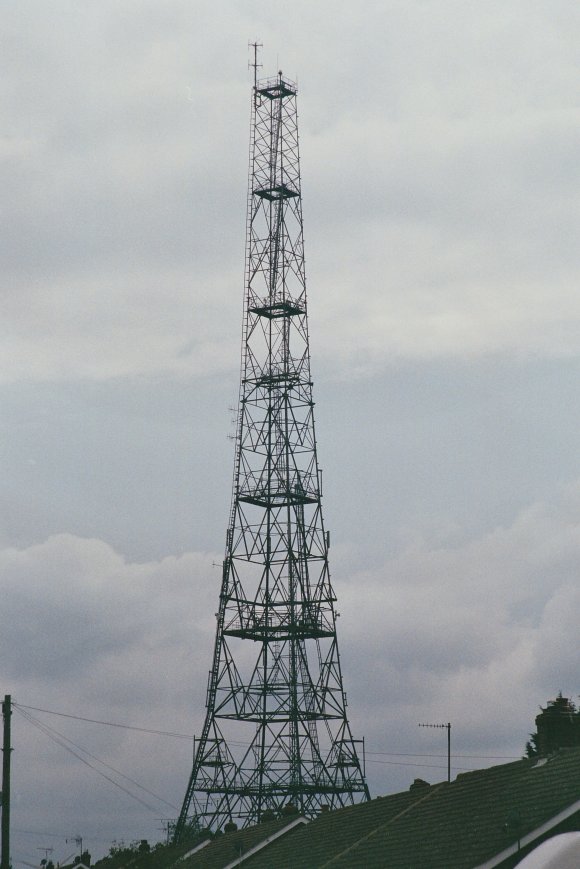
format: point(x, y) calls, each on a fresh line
point(447, 184)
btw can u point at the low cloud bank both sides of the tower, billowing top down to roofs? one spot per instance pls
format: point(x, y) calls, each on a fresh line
point(472, 633)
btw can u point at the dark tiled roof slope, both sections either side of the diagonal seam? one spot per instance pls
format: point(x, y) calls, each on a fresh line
point(475, 821)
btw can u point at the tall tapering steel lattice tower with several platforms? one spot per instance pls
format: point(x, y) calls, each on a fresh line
point(276, 729)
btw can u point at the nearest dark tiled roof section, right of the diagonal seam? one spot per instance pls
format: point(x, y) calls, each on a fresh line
point(466, 823)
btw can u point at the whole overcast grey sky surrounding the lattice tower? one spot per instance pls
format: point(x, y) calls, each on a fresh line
point(439, 156)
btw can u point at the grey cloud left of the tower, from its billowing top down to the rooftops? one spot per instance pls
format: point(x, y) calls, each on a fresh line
point(85, 632)
